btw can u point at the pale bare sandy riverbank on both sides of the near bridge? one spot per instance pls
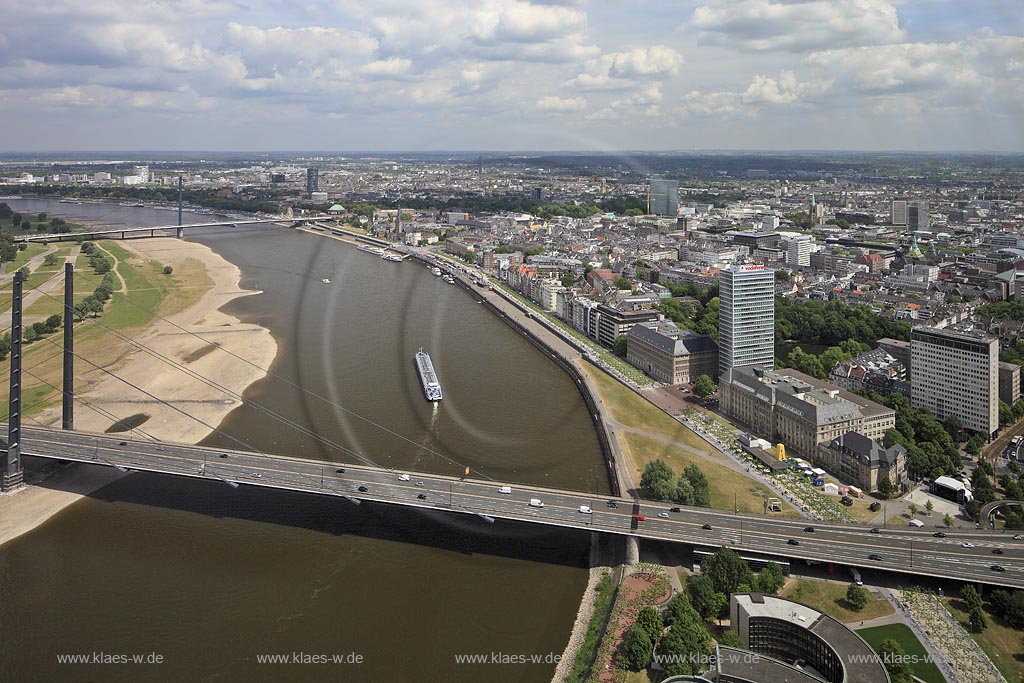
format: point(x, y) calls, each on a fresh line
point(26, 510)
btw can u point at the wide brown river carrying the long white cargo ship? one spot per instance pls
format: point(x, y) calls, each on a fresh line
point(211, 579)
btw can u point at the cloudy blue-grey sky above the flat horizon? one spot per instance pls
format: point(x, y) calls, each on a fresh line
point(335, 75)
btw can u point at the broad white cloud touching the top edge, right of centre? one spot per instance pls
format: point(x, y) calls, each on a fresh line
point(797, 25)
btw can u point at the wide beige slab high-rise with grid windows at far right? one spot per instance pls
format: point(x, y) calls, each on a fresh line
point(957, 374)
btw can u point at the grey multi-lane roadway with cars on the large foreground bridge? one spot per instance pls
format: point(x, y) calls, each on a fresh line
point(904, 550)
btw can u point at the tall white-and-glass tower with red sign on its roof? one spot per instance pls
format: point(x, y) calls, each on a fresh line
point(747, 317)
